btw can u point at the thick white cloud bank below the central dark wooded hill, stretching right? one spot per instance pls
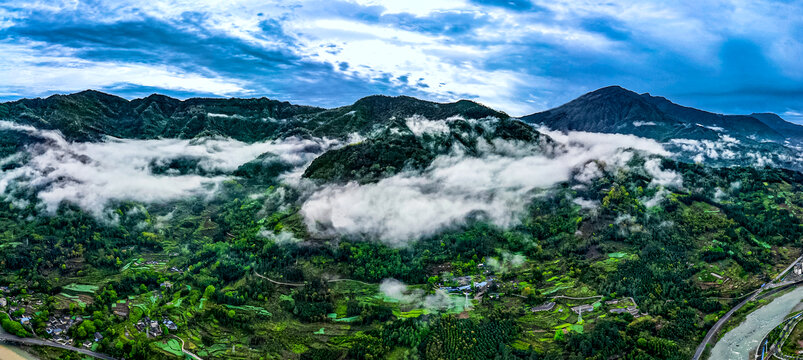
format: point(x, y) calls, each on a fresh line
point(495, 186)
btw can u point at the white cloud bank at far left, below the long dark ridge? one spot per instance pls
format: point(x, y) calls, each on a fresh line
point(91, 175)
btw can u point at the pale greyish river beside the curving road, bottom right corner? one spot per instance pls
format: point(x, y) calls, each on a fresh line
point(737, 343)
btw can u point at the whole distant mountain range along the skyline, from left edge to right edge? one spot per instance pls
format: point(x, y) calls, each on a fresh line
point(696, 135)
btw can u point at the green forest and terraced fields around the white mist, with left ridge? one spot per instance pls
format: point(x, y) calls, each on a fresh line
point(240, 275)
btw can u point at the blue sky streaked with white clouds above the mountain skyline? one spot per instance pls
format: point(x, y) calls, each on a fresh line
point(518, 56)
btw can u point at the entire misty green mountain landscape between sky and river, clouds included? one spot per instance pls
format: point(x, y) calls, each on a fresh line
point(618, 225)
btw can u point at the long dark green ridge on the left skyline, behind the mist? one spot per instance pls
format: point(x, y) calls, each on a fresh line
point(88, 115)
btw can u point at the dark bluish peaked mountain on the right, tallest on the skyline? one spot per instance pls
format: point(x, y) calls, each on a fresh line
point(692, 134)
